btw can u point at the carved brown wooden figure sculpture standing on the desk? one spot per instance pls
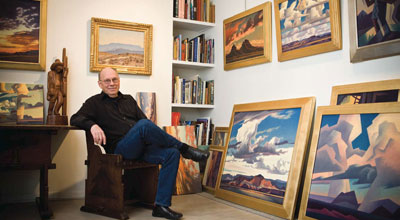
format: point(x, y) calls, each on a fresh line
point(57, 91)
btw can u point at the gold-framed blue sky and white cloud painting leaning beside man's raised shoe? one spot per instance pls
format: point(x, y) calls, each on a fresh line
point(264, 156)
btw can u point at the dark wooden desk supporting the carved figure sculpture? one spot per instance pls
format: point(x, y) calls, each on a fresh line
point(28, 147)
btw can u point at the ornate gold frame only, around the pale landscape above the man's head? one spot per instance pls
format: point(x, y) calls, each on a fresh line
point(96, 23)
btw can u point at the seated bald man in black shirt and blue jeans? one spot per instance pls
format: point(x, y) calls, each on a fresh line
point(116, 121)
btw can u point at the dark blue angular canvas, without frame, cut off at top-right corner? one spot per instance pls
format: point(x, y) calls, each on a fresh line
point(377, 21)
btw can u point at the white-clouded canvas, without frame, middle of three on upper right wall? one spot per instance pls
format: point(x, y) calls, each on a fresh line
point(304, 23)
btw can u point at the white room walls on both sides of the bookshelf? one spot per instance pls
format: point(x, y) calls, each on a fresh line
point(69, 27)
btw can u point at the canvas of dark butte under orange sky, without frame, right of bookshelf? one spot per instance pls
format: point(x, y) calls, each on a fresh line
point(244, 38)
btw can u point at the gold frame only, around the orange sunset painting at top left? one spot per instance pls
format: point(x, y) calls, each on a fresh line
point(41, 65)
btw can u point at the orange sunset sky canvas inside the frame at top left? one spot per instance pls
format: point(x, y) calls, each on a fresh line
point(19, 31)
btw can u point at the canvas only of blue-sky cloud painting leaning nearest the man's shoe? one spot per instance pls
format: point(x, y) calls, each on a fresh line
point(259, 153)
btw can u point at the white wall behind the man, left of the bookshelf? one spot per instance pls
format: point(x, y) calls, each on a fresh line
point(69, 27)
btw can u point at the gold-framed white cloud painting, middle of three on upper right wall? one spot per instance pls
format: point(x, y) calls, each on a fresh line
point(306, 27)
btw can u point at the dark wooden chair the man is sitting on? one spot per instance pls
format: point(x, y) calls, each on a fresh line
point(113, 182)
